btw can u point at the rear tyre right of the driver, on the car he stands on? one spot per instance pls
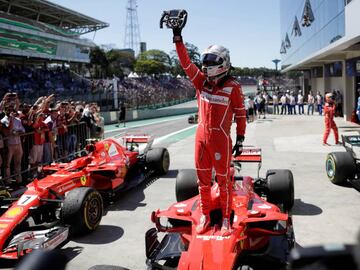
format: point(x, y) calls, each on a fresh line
point(280, 185)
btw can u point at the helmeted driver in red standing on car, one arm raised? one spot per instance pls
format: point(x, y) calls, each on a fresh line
point(219, 97)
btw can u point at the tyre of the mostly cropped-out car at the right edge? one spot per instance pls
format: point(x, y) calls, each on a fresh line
point(340, 166)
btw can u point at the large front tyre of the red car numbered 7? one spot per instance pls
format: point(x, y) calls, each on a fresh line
point(82, 209)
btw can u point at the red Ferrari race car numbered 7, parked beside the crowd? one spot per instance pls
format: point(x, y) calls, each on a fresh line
point(67, 198)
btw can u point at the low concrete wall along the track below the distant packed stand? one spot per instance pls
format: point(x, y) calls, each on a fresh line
point(112, 117)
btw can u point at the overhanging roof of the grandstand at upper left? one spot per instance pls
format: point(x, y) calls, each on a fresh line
point(53, 14)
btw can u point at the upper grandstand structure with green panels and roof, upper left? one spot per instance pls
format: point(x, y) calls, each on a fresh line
point(39, 29)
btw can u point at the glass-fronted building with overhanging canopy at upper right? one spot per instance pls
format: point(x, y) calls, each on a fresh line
point(322, 39)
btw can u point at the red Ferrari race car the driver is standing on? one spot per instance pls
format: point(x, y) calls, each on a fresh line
point(262, 233)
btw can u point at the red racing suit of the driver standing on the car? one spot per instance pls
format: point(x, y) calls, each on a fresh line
point(217, 105)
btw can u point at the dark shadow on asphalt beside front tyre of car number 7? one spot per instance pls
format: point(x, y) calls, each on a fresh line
point(105, 234)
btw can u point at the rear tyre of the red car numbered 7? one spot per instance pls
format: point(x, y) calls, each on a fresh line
point(159, 160)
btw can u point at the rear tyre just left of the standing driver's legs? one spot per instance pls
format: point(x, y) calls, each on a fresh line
point(186, 185)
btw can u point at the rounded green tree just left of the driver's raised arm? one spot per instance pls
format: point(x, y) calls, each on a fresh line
point(153, 62)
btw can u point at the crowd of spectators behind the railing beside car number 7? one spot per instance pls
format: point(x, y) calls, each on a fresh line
point(40, 133)
